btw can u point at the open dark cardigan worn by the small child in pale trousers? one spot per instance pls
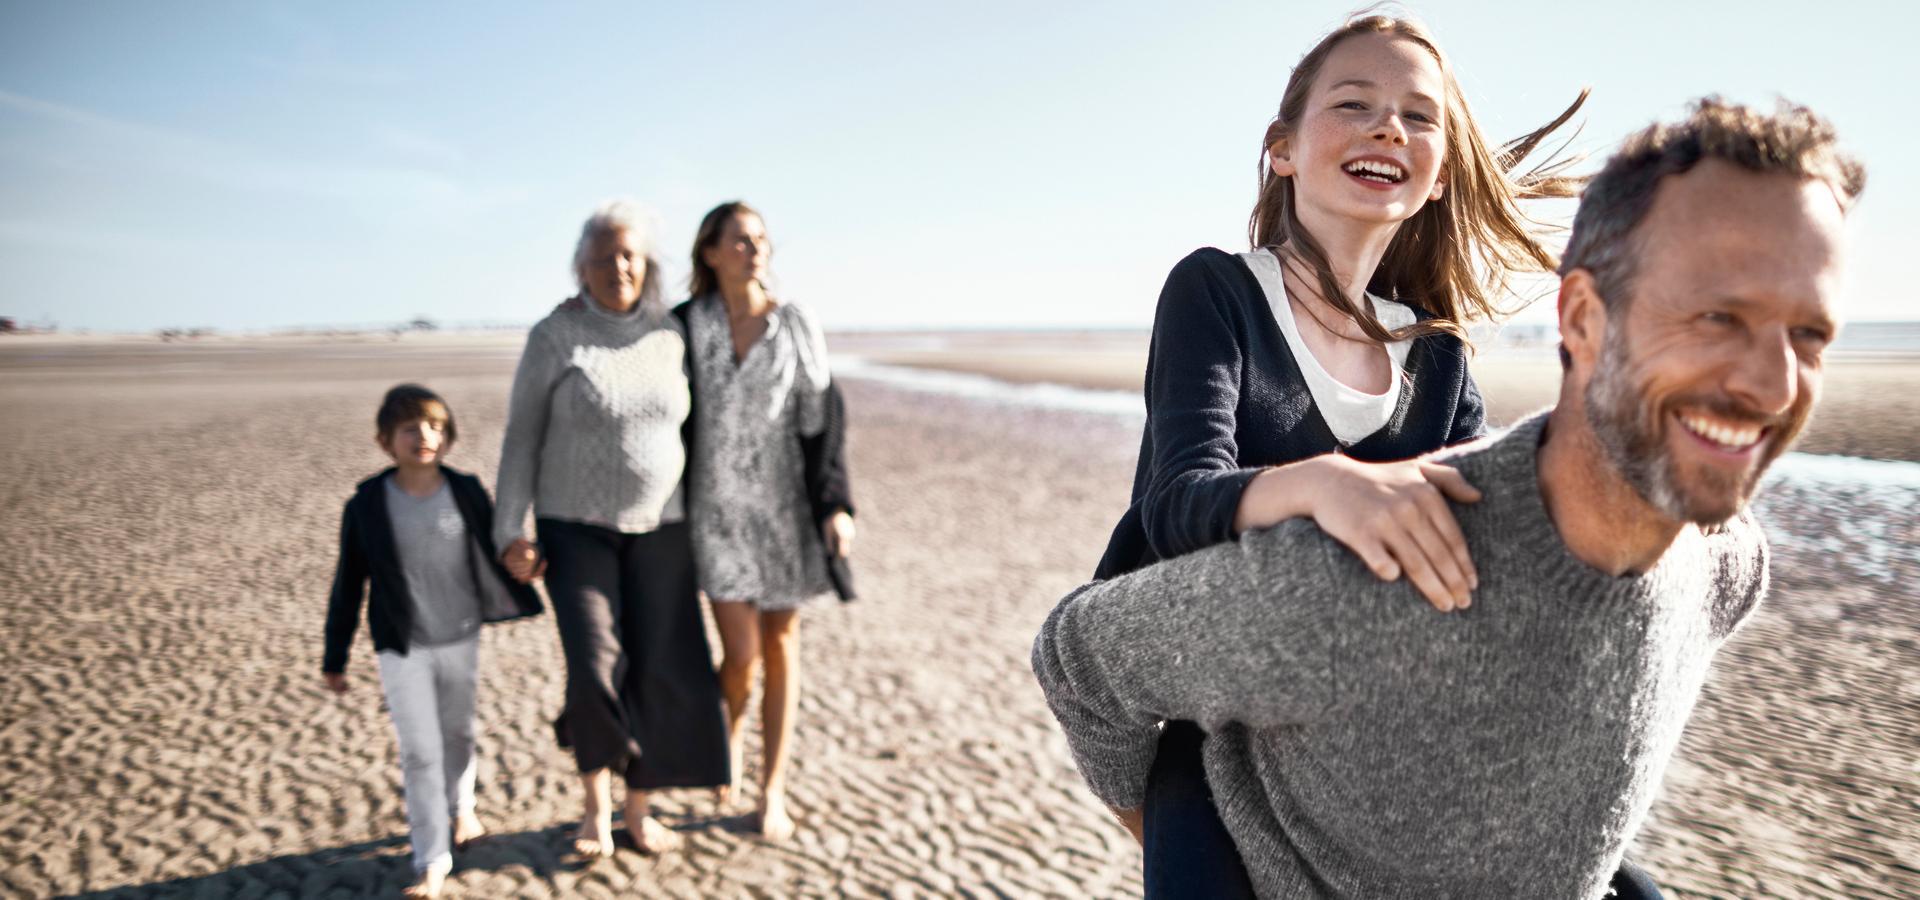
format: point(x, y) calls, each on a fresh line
point(368, 554)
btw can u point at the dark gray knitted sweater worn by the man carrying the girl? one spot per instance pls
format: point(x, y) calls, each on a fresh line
point(1366, 746)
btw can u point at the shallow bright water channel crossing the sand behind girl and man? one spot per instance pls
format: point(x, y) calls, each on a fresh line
point(1858, 517)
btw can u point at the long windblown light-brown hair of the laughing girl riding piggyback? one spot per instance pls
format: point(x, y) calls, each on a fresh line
point(1456, 256)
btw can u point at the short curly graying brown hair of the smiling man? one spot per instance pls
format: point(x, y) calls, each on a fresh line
point(1790, 141)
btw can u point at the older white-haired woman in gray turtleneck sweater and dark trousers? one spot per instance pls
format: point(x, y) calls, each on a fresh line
point(594, 448)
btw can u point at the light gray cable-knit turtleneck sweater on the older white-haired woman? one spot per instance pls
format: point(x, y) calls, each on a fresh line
point(594, 421)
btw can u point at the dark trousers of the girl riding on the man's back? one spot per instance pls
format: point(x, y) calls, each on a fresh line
point(1191, 855)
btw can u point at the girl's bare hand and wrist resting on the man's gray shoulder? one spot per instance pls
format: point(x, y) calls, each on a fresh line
point(1391, 515)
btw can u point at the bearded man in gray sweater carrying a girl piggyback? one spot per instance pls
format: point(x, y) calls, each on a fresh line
point(1362, 744)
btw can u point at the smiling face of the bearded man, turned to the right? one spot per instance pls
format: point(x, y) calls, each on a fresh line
point(1712, 367)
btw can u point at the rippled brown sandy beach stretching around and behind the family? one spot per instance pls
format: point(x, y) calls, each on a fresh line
point(170, 515)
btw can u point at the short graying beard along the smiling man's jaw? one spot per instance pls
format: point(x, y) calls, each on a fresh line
point(1629, 435)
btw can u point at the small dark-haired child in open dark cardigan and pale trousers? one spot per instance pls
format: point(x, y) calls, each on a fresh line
point(421, 536)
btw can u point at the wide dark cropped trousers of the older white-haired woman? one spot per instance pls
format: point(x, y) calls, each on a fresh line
point(642, 694)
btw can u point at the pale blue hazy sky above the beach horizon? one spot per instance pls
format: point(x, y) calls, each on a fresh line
point(266, 164)
